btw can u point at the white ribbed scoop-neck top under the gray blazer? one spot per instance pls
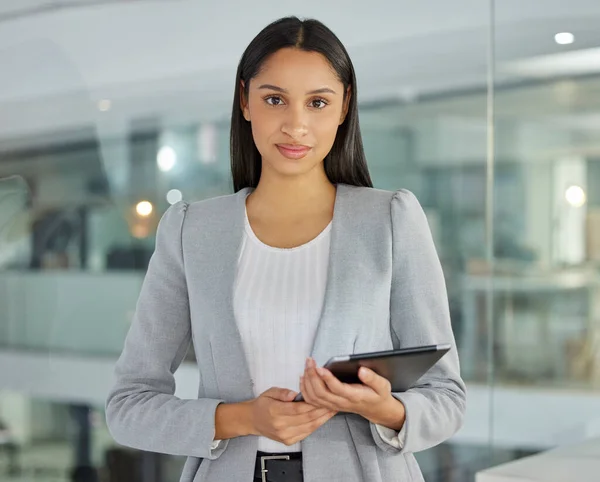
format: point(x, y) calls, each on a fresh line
point(278, 300)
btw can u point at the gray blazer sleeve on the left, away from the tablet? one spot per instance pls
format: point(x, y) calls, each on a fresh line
point(141, 409)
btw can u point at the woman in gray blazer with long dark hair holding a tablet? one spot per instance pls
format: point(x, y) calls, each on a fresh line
point(305, 261)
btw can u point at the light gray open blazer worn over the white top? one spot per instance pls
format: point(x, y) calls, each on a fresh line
point(385, 290)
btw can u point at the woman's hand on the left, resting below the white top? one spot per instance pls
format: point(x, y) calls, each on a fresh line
point(275, 416)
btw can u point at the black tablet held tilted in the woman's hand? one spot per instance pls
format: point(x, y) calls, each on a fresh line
point(401, 367)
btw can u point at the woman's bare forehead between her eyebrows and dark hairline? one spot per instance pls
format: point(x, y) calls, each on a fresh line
point(289, 68)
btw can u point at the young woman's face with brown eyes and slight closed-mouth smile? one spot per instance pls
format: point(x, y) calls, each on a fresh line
point(295, 106)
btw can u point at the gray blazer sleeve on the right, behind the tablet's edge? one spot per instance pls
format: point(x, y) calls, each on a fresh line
point(419, 315)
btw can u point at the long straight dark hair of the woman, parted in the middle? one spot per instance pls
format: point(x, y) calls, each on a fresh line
point(346, 162)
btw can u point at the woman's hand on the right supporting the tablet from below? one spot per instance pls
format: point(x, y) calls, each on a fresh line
point(373, 400)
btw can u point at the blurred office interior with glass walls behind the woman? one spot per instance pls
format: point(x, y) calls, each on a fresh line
point(112, 110)
